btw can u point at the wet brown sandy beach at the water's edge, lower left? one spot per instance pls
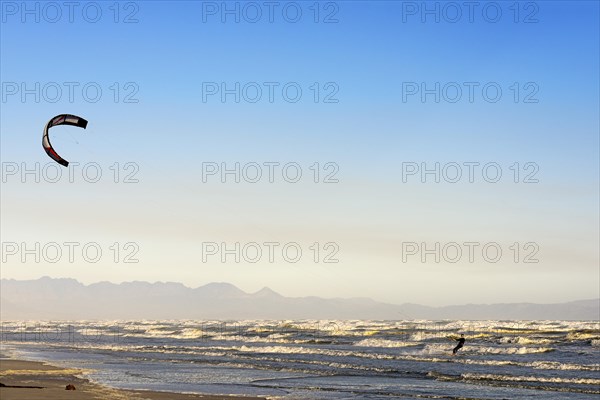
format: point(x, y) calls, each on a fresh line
point(29, 380)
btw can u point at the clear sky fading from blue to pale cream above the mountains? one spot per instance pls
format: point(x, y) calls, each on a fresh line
point(427, 152)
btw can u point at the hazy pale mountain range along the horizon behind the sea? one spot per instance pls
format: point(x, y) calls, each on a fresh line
point(67, 299)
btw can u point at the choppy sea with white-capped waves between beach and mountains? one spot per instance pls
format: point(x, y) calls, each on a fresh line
point(325, 359)
